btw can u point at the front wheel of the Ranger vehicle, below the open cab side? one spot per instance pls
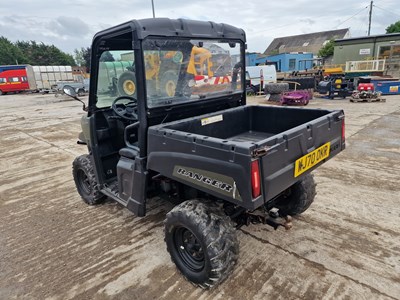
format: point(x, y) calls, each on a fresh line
point(85, 180)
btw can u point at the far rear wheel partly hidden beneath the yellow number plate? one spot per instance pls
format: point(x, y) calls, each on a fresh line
point(297, 198)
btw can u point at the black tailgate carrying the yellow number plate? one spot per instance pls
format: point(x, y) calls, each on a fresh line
point(298, 151)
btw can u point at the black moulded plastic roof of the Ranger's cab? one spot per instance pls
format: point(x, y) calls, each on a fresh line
point(166, 27)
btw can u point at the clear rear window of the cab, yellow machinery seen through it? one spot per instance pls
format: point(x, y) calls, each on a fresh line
point(178, 71)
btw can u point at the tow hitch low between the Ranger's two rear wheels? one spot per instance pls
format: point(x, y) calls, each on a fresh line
point(271, 218)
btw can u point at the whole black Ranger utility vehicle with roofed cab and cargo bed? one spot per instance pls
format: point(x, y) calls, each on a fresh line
point(164, 119)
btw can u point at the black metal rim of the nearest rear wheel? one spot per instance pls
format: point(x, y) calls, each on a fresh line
point(189, 249)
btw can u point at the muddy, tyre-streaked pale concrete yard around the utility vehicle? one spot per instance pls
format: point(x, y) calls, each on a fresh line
point(53, 246)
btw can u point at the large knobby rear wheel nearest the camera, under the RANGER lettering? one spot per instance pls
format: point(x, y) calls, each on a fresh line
point(202, 242)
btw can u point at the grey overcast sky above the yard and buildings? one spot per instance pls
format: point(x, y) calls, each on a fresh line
point(70, 24)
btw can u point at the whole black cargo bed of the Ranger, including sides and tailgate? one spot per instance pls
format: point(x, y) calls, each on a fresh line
point(226, 142)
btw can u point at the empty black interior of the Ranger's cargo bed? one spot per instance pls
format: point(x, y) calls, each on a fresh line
point(247, 123)
